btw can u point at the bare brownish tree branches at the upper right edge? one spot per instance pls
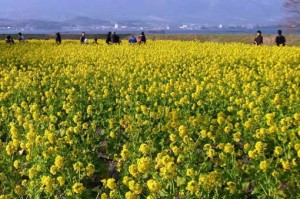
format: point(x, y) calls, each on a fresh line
point(292, 8)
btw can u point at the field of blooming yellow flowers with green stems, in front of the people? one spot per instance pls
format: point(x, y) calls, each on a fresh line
point(170, 119)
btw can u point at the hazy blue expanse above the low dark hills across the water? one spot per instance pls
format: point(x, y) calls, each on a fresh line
point(196, 11)
